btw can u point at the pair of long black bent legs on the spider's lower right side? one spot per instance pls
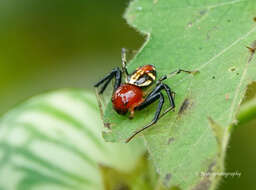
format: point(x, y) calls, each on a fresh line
point(156, 94)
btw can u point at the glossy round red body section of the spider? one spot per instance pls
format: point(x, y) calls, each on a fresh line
point(127, 97)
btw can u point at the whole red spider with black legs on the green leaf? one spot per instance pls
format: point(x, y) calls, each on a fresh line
point(130, 95)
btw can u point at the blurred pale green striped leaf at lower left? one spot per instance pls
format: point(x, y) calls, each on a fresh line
point(53, 142)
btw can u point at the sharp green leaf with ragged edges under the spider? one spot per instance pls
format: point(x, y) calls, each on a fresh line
point(210, 36)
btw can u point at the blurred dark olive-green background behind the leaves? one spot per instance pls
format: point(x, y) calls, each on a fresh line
point(51, 44)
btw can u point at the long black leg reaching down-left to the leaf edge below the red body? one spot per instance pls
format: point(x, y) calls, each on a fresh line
point(147, 102)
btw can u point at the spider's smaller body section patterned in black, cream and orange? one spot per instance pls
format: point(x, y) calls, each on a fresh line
point(143, 76)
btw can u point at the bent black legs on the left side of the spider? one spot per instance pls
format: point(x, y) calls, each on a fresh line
point(114, 73)
